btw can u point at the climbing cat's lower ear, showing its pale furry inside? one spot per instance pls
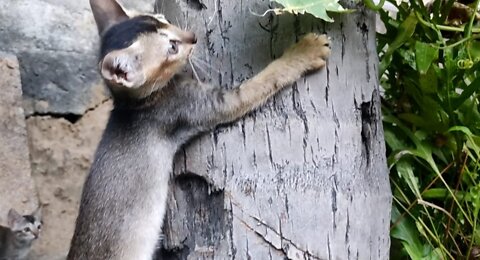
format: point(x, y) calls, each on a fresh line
point(123, 67)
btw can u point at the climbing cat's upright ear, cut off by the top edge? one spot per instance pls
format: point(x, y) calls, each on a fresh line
point(107, 13)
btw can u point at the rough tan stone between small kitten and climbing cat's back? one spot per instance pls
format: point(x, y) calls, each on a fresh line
point(61, 154)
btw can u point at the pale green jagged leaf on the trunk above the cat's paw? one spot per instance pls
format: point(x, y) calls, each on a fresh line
point(317, 8)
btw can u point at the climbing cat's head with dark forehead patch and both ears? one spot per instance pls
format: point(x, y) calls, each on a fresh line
point(141, 53)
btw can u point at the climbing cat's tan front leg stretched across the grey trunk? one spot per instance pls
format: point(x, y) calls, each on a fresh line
point(309, 54)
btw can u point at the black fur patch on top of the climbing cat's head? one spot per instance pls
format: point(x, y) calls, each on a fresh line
point(122, 35)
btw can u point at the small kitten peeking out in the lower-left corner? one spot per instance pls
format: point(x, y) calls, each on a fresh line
point(16, 239)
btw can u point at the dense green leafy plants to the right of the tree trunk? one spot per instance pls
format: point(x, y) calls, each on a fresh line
point(429, 72)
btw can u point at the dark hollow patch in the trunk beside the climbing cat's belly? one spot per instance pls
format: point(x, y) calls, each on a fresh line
point(202, 215)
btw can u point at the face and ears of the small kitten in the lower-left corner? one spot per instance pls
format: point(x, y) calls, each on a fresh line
point(25, 227)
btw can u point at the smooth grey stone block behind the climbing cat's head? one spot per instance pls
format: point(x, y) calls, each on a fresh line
point(56, 42)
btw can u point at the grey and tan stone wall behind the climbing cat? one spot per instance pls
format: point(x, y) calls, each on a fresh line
point(65, 107)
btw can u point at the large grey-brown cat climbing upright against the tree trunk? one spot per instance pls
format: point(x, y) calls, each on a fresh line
point(155, 112)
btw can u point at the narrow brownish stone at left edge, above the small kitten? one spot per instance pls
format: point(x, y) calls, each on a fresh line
point(17, 189)
